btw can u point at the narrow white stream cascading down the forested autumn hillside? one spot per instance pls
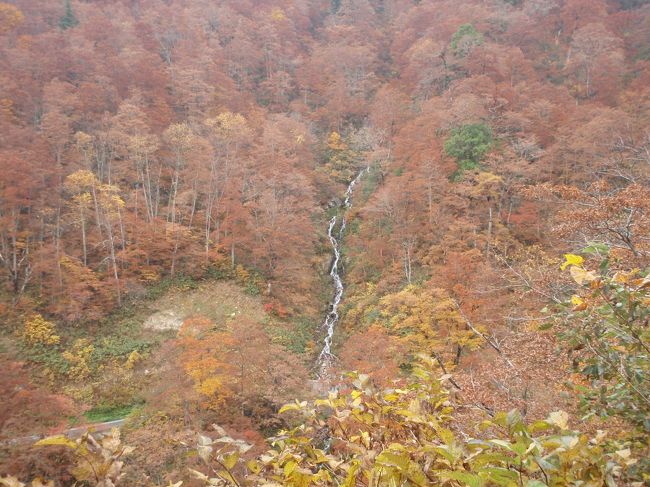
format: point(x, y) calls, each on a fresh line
point(326, 358)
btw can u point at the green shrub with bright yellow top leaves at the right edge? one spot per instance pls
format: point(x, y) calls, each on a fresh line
point(605, 327)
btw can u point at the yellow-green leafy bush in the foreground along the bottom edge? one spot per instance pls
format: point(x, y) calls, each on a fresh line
point(404, 436)
